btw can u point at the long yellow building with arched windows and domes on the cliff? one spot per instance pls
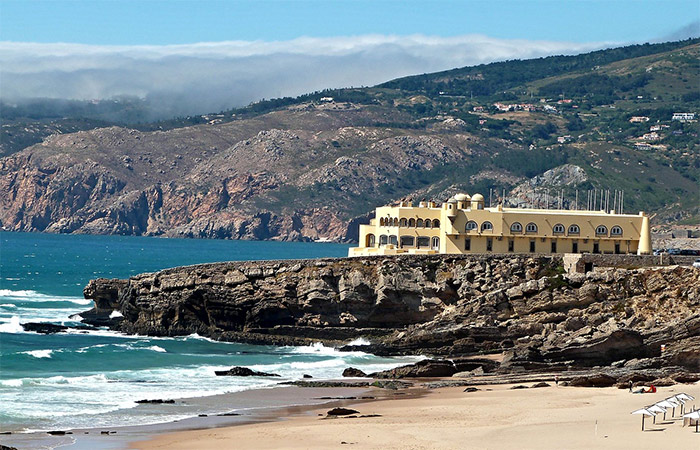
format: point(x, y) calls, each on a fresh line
point(463, 225)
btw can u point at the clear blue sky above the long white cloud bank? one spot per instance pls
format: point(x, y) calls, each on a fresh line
point(157, 22)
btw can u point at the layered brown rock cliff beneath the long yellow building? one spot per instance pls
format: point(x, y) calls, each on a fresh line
point(440, 305)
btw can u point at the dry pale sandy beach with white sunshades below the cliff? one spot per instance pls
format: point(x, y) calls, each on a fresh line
point(495, 417)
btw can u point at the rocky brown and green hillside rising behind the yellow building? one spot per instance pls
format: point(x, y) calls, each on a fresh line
point(311, 167)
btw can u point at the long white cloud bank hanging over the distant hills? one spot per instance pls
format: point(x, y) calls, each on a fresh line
point(210, 76)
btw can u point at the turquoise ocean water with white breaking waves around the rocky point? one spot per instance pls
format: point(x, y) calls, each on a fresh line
point(92, 379)
